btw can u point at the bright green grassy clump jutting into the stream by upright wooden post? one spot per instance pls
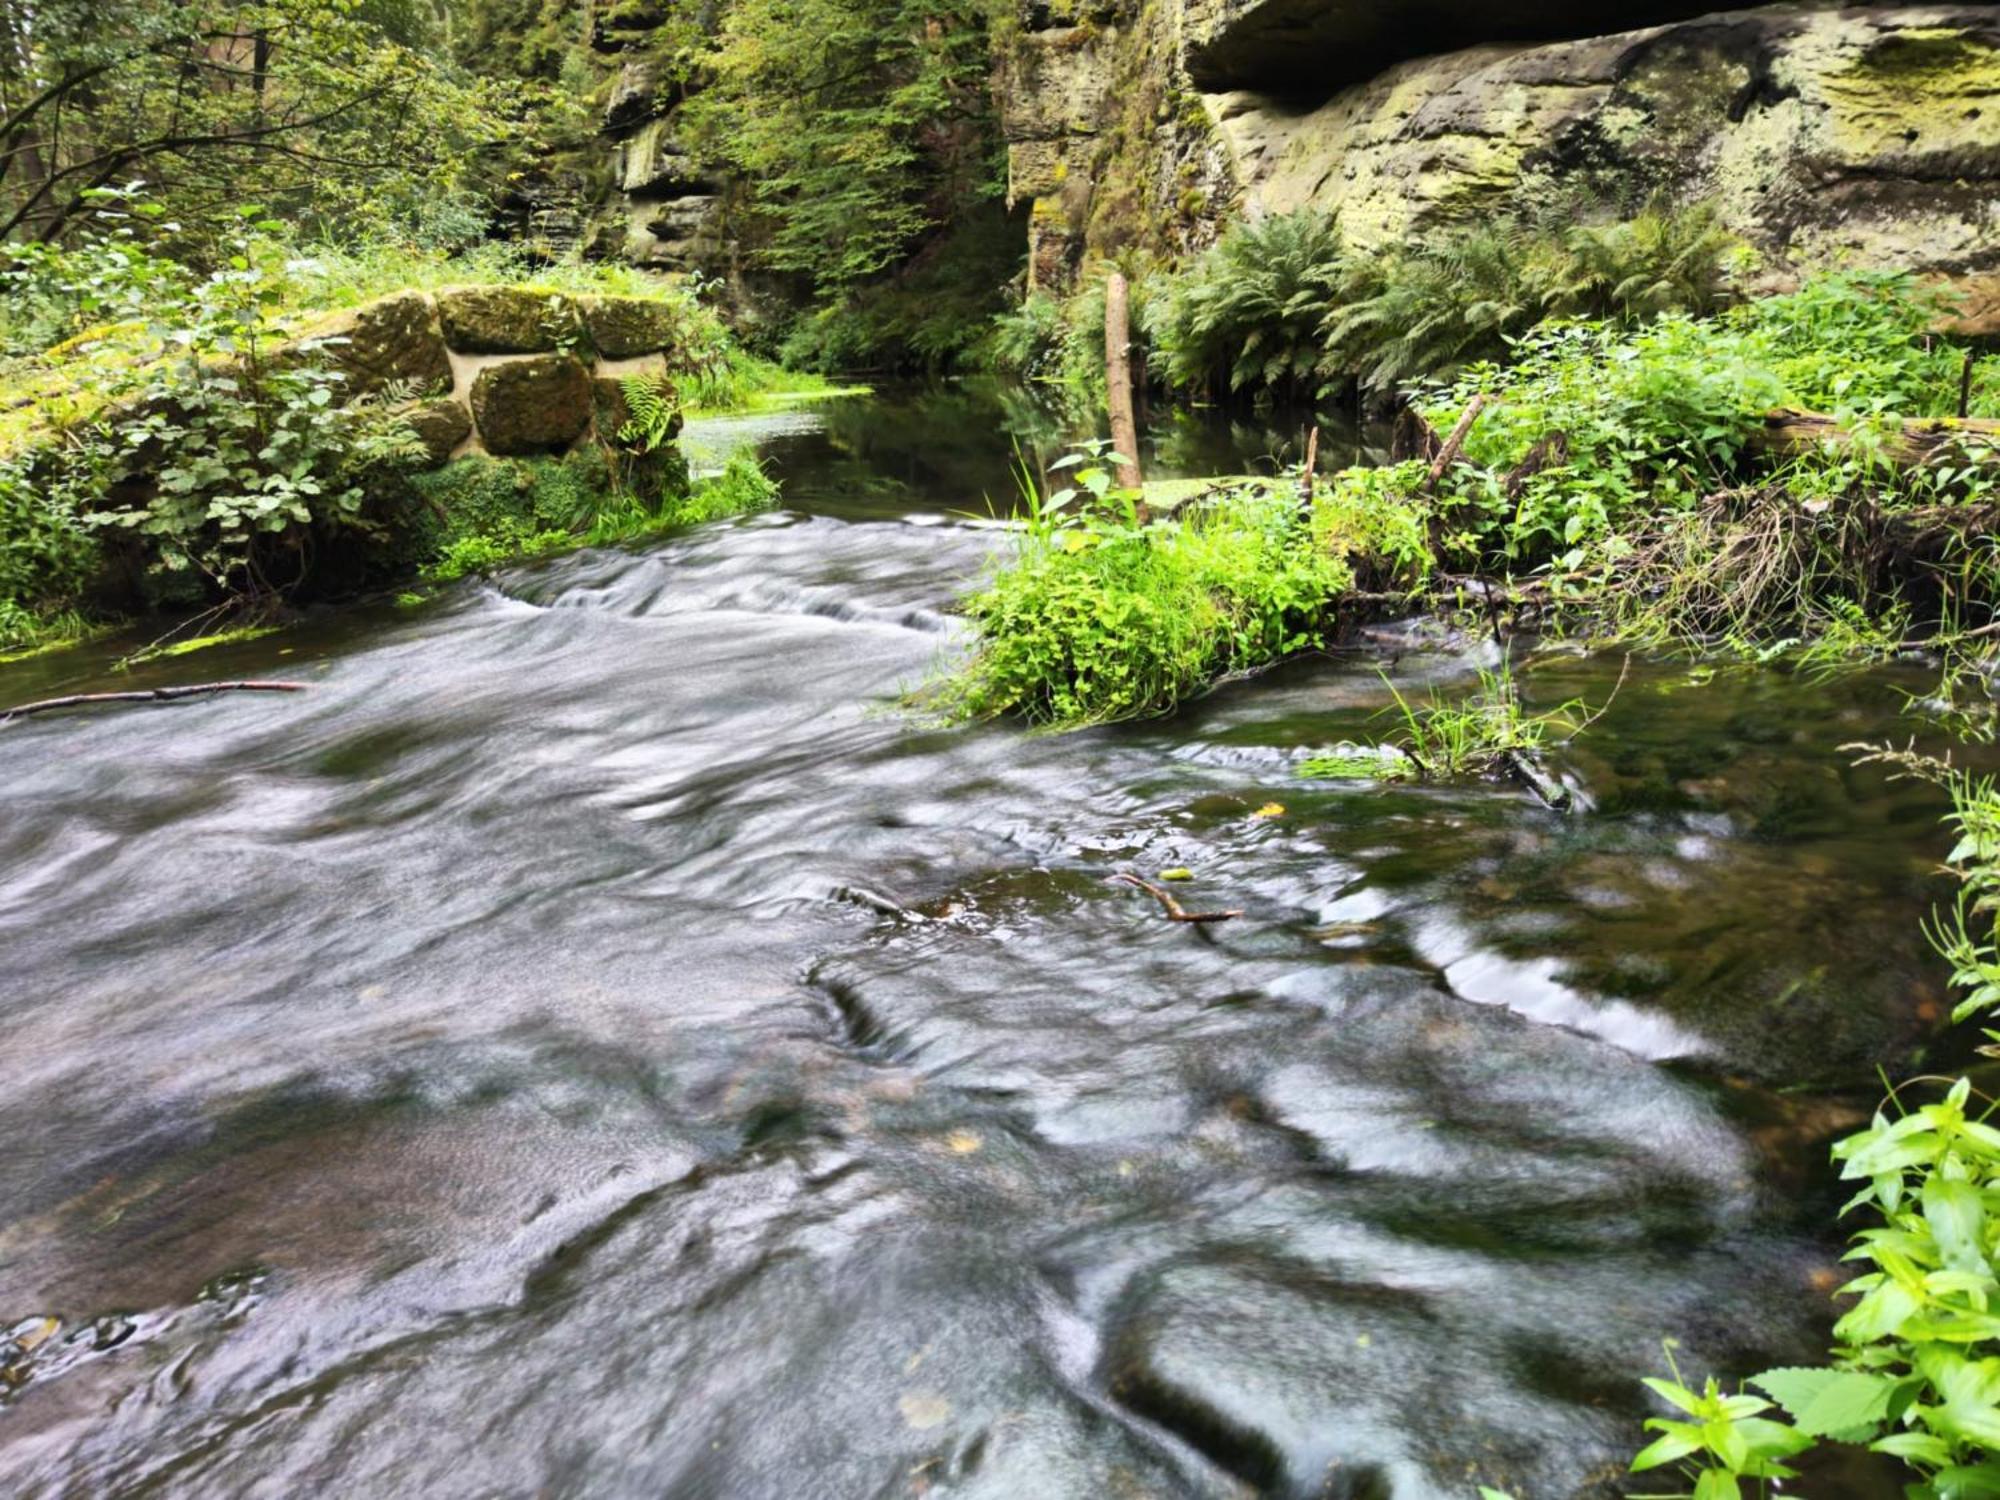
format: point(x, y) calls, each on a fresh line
point(1101, 617)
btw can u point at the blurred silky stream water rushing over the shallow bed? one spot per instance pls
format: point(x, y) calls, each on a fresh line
point(593, 1045)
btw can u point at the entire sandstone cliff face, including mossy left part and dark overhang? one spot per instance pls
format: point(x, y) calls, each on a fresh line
point(1865, 135)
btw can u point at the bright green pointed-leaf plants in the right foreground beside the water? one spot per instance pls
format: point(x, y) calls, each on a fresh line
point(1917, 1363)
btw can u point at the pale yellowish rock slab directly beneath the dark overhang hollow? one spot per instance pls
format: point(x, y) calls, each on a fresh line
point(1859, 137)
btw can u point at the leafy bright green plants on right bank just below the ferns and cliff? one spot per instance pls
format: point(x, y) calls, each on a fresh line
point(1597, 425)
